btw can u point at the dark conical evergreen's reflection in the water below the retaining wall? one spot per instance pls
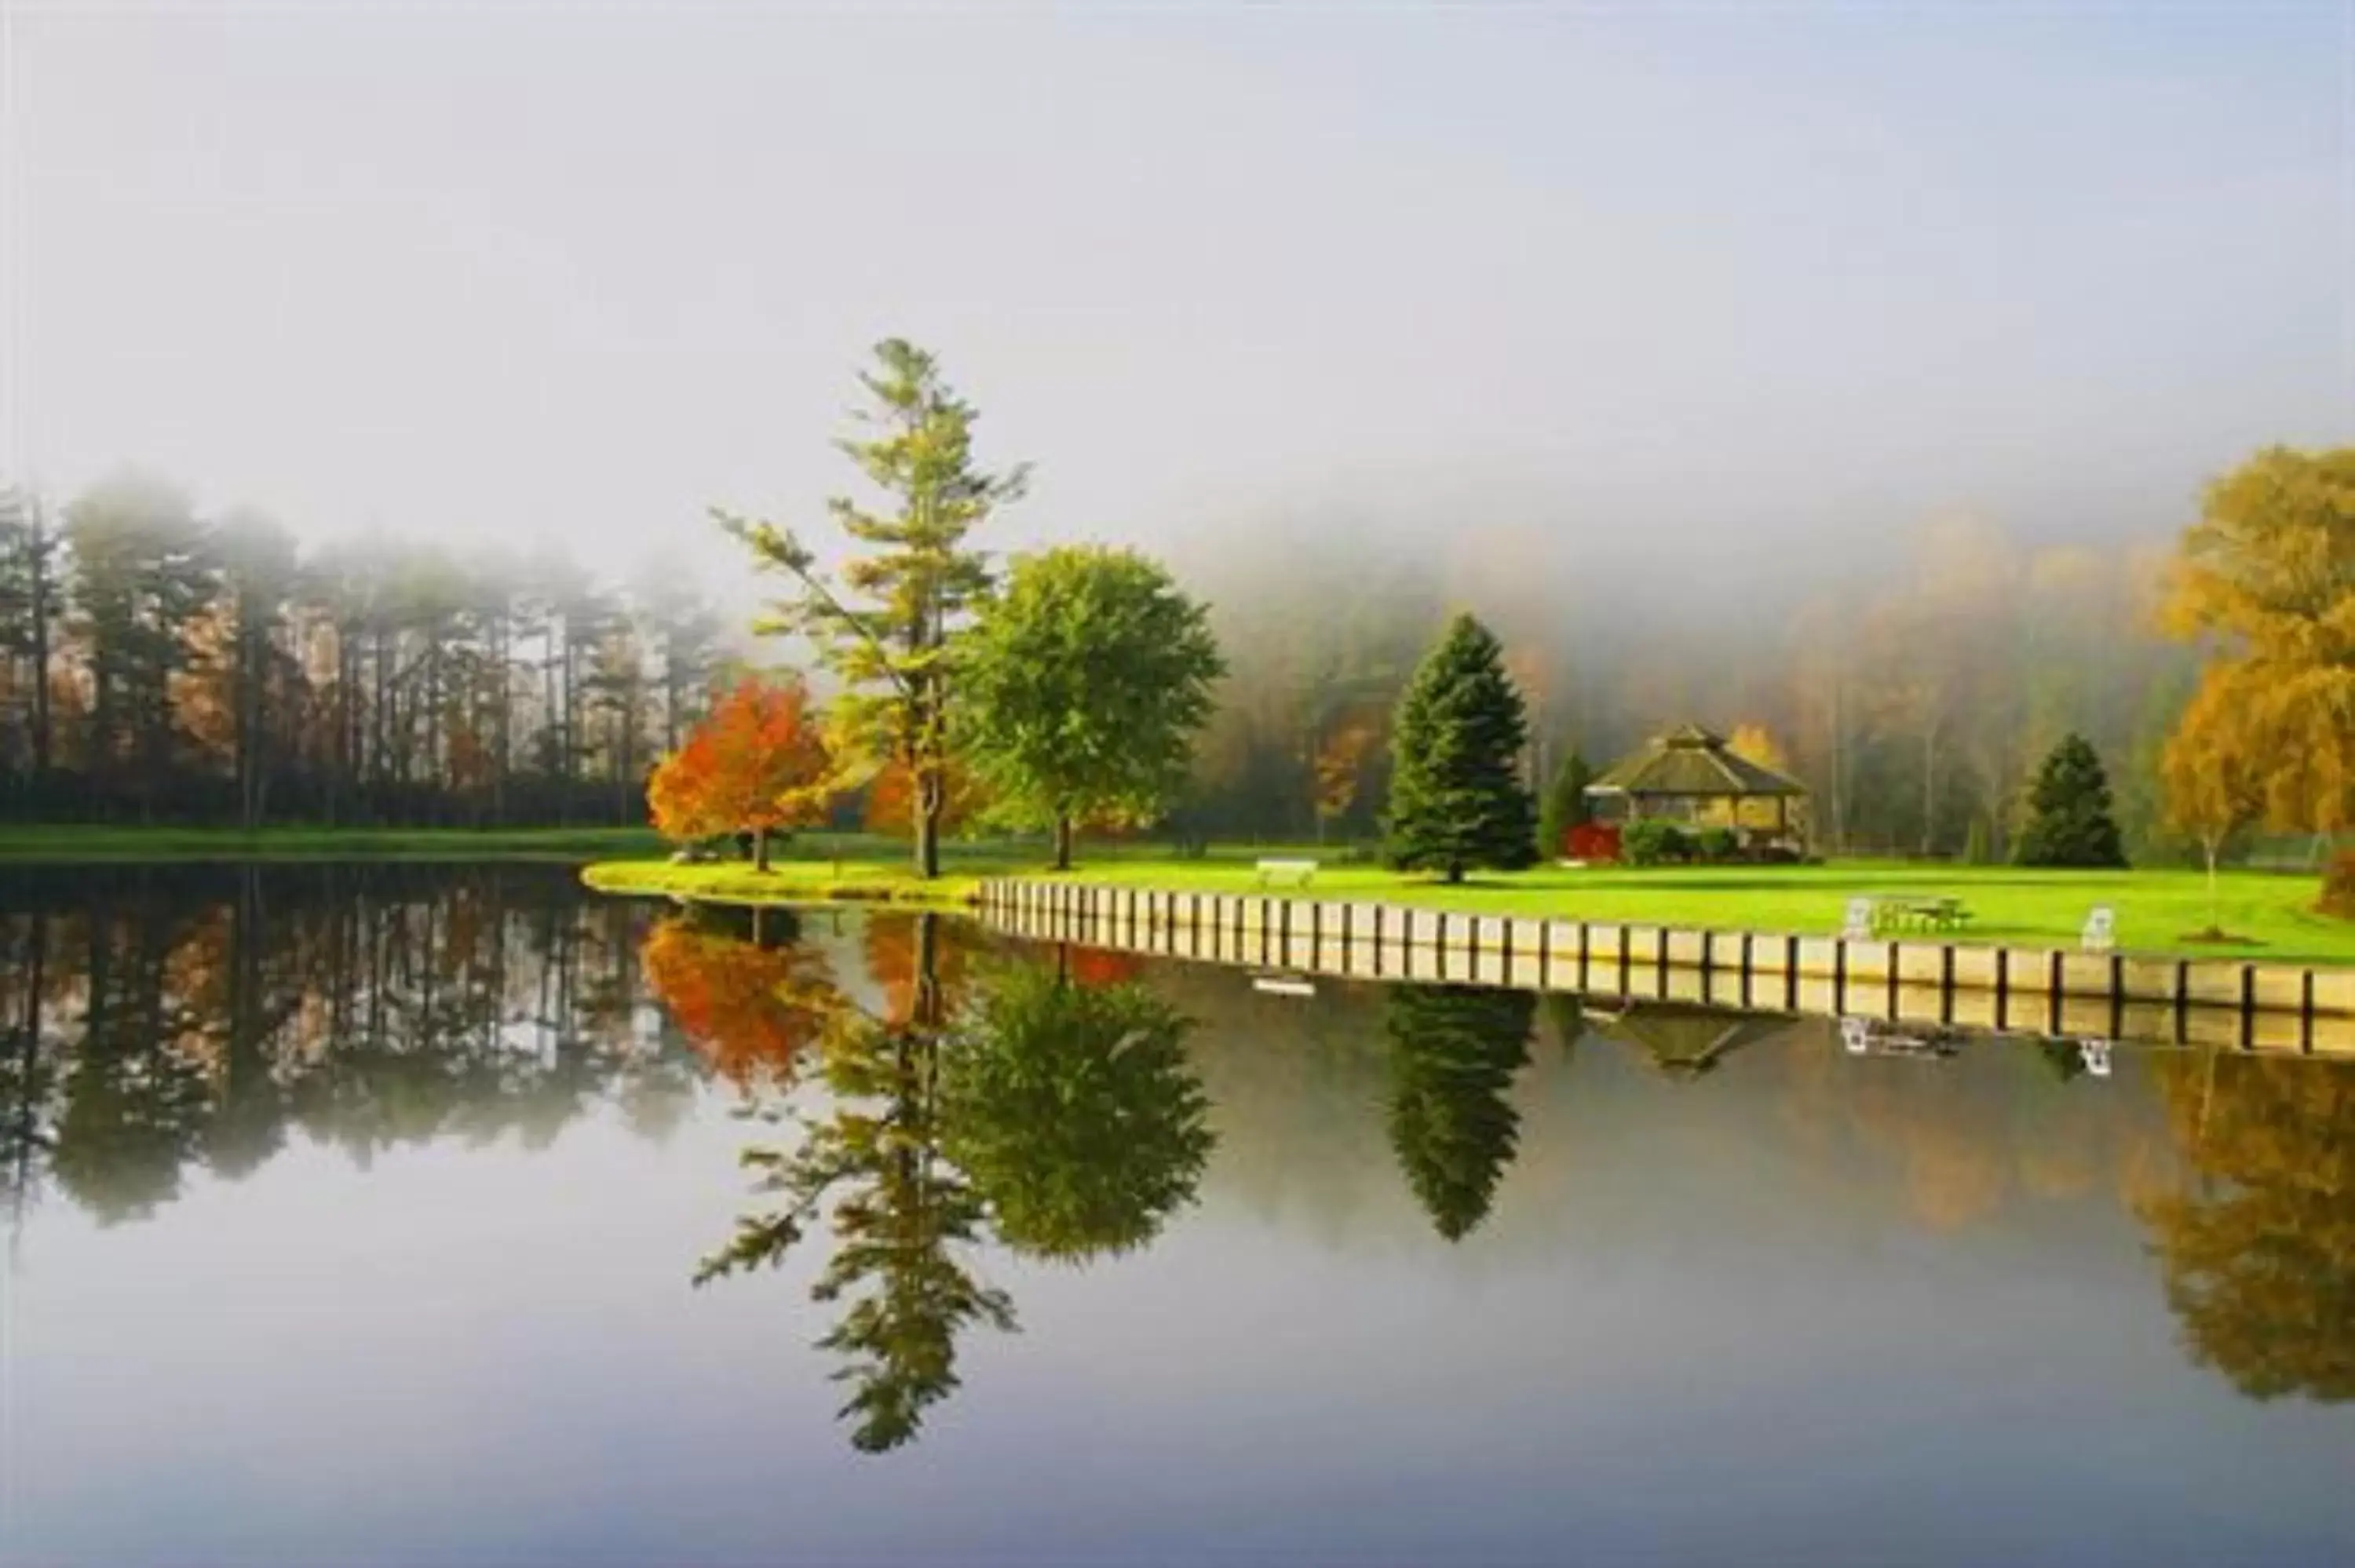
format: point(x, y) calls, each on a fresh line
point(1452, 1061)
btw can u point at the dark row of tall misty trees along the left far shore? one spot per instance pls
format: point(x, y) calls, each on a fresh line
point(168, 667)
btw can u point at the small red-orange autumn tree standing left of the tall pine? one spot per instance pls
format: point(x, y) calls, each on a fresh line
point(757, 764)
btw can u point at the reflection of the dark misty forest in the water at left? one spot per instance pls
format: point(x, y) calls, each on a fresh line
point(185, 1018)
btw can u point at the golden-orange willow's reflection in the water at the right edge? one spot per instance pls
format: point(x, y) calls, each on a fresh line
point(2260, 1242)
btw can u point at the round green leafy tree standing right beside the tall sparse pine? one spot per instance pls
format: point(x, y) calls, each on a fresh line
point(1084, 684)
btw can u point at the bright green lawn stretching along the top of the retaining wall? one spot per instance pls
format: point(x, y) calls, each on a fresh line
point(2156, 910)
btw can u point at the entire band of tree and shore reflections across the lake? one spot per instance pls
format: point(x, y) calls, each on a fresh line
point(955, 1122)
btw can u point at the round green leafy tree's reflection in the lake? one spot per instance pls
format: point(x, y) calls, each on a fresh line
point(1075, 1112)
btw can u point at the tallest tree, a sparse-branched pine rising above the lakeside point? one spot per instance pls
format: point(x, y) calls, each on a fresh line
point(889, 630)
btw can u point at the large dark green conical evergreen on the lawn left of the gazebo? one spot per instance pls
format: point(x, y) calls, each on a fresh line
point(1457, 795)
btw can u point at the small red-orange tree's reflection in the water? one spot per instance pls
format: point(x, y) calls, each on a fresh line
point(748, 1009)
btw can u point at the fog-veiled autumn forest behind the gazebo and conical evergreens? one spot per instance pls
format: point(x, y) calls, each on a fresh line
point(1913, 691)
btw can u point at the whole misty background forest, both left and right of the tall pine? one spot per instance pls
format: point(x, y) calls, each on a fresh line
point(168, 667)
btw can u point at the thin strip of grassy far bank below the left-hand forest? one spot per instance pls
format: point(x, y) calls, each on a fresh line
point(95, 844)
